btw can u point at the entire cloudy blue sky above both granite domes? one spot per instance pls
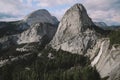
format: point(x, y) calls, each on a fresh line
point(99, 10)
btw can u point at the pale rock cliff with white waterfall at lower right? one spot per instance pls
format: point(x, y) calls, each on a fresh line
point(107, 60)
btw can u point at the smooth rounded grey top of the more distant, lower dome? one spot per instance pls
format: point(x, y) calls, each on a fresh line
point(40, 16)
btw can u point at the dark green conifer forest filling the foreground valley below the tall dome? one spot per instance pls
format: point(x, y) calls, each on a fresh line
point(62, 66)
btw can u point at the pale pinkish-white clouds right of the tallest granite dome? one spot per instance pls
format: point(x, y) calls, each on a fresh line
point(104, 10)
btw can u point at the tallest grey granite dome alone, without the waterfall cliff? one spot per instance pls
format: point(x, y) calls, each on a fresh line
point(75, 33)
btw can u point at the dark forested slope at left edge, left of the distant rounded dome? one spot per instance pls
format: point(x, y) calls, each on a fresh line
point(11, 28)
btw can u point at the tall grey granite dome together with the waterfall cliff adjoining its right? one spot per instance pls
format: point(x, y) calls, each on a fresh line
point(77, 34)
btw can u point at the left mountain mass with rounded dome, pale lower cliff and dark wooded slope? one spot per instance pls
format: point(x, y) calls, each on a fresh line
point(35, 27)
